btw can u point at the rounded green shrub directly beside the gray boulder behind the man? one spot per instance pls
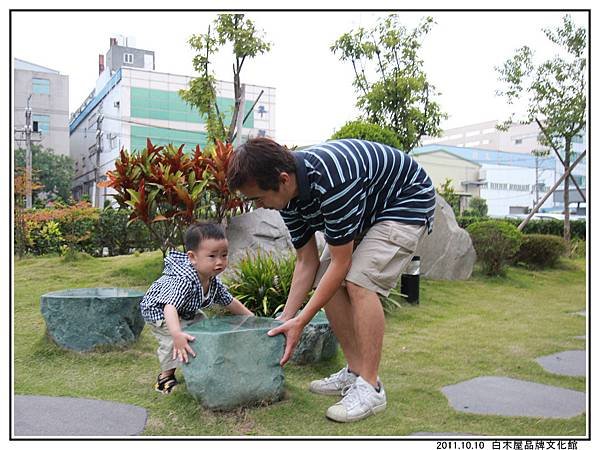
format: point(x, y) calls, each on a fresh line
point(495, 242)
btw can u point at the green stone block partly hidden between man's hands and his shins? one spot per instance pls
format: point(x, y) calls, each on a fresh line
point(317, 343)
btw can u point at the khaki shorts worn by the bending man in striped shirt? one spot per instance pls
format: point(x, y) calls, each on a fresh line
point(380, 256)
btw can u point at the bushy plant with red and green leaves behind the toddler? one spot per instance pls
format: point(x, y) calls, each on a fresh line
point(167, 189)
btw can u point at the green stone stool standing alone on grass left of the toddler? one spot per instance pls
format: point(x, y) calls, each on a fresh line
point(82, 319)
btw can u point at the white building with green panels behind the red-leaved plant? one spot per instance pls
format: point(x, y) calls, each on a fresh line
point(131, 102)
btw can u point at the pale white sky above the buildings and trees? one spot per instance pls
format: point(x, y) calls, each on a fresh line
point(314, 89)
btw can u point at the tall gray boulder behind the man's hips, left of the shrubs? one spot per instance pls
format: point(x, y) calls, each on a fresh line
point(447, 253)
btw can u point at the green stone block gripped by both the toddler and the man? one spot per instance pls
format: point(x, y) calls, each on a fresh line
point(236, 363)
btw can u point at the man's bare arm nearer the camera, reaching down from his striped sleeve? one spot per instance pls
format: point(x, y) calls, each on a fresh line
point(341, 259)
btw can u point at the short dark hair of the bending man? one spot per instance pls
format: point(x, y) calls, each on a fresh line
point(260, 160)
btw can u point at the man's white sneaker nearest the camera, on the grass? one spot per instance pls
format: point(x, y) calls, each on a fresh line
point(360, 400)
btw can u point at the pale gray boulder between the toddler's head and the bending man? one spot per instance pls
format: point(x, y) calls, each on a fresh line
point(259, 229)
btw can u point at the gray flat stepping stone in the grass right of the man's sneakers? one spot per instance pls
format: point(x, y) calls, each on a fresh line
point(510, 397)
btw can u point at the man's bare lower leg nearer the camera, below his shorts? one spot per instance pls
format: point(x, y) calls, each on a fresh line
point(369, 323)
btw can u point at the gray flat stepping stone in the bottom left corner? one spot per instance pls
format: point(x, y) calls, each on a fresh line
point(67, 416)
